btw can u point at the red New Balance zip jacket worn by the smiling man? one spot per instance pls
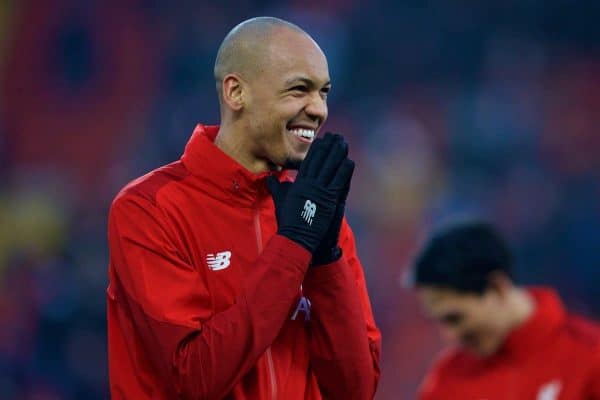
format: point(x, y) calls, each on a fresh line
point(206, 301)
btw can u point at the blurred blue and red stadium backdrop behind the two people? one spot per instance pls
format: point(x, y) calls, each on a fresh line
point(487, 107)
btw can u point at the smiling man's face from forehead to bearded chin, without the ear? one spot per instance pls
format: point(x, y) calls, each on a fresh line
point(286, 103)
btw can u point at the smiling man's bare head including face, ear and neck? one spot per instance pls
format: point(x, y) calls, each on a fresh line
point(277, 102)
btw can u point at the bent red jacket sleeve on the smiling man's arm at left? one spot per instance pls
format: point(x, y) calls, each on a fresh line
point(196, 354)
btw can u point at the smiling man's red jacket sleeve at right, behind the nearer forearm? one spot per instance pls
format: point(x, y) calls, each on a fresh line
point(345, 342)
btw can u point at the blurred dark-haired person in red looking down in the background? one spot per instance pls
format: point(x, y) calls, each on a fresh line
point(513, 343)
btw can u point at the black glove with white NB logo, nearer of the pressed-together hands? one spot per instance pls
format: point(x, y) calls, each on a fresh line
point(306, 208)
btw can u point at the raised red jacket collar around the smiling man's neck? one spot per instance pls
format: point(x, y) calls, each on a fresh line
point(224, 177)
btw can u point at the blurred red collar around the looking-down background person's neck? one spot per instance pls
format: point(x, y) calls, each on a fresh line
point(548, 316)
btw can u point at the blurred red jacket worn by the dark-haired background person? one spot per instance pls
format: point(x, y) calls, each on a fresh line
point(552, 356)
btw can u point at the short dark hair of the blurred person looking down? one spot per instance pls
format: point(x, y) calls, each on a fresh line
point(461, 256)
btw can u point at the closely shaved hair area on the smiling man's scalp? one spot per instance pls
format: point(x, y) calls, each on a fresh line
point(245, 48)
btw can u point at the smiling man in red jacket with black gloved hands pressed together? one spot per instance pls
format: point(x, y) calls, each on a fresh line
point(227, 279)
